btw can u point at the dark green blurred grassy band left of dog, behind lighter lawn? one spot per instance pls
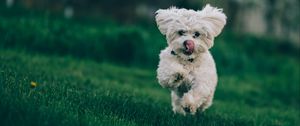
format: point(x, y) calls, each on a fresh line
point(101, 42)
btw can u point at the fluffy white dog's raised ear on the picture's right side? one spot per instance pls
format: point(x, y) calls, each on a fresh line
point(214, 19)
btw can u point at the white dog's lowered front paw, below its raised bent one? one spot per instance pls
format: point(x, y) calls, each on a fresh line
point(188, 104)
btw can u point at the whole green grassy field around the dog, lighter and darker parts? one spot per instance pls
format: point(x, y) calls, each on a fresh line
point(82, 79)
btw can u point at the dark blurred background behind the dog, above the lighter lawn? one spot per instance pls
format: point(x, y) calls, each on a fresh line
point(100, 29)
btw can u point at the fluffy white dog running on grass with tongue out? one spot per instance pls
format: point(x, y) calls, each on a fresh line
point(186, 66)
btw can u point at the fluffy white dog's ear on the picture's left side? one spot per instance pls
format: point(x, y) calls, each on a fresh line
point(164, 18)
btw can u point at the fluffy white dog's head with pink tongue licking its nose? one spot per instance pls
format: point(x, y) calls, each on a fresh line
point(190, 32)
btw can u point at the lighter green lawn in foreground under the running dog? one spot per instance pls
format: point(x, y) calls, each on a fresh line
point(73, 91)
